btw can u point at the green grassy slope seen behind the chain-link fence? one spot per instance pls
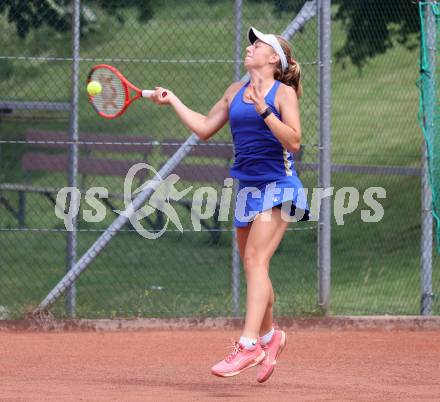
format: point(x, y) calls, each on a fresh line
point(375, 267)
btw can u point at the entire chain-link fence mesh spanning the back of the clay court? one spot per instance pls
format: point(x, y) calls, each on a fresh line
point(192, 48)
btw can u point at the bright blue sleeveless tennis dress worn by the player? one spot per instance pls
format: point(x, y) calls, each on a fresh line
point(264, 168)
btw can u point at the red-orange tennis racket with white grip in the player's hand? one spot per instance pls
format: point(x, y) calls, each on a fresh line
point(117, 92)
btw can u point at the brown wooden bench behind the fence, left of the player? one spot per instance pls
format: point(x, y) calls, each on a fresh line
point(48, 153)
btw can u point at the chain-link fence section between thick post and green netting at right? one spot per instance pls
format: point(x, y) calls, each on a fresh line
point(374, 112)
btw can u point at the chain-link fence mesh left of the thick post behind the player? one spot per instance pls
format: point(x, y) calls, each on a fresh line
point(191, 50)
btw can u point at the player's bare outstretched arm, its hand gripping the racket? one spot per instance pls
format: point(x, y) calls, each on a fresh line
point(204, 126)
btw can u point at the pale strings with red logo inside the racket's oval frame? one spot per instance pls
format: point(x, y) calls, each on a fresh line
point(112, 98)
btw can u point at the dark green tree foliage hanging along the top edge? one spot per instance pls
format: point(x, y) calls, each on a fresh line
point(371, 25)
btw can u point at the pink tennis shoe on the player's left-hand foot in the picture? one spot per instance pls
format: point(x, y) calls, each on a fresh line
point(239, 360)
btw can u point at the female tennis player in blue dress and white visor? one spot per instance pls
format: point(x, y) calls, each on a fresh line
point(265, 124)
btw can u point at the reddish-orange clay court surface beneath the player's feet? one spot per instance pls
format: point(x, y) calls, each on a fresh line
point(158, 365)
